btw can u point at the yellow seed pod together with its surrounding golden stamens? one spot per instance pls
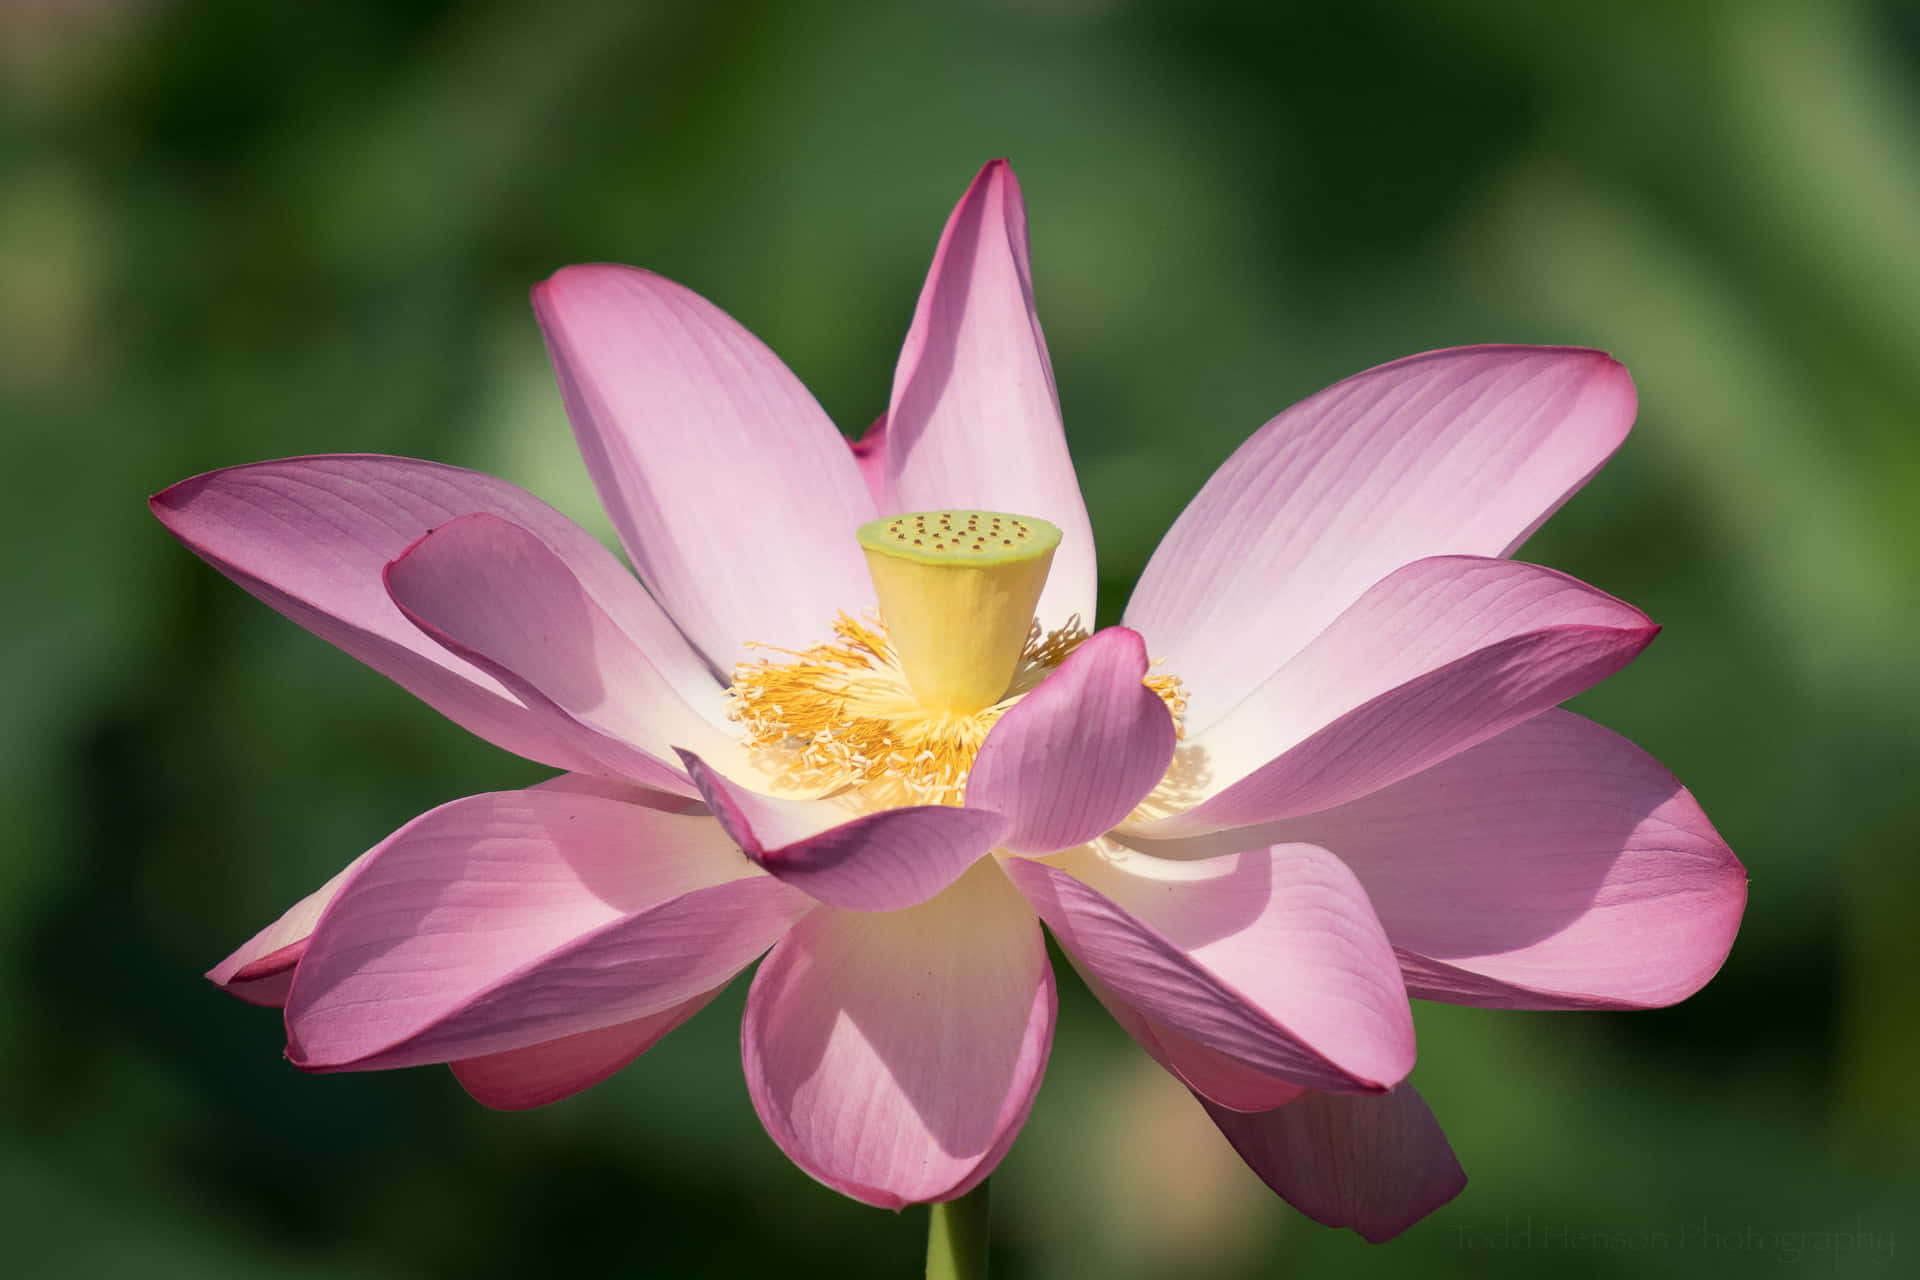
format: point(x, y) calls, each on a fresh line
point(896, 709)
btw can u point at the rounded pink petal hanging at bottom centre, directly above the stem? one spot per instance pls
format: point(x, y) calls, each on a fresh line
point(896, 1056)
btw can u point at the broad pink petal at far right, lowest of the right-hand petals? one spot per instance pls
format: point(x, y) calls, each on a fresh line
point(1554, 866)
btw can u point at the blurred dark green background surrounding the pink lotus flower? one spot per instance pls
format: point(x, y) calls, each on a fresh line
point(249, 229)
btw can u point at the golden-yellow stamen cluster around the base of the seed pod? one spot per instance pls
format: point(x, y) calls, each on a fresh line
point(844, 719)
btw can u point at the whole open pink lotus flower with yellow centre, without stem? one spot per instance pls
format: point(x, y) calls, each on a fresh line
point(850, 711)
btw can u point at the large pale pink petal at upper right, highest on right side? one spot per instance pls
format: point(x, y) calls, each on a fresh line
point(1451, 452)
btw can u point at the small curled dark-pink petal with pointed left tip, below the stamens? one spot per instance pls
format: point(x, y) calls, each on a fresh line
point(871, 863)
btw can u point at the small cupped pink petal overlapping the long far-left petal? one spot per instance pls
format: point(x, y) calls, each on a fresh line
point(494, 594)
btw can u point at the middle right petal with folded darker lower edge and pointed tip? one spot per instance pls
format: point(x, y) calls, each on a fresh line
point(1441, 655)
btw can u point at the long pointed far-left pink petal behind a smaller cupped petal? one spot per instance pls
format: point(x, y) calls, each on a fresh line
point(312, 536)
